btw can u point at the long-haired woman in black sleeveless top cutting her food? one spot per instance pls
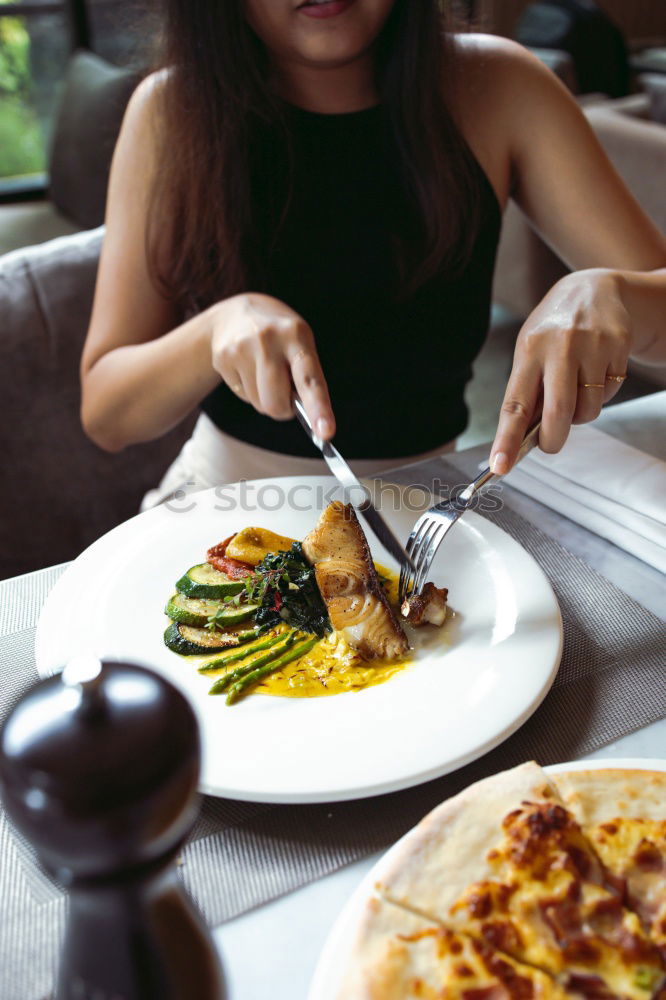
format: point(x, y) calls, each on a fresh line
point(309, 195)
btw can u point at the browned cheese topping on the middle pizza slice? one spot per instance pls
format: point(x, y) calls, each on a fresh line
point(548, 903)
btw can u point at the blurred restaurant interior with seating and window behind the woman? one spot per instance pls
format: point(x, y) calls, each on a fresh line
point(67, 70)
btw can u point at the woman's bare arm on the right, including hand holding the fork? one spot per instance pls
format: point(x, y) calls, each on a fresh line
point(613, 305)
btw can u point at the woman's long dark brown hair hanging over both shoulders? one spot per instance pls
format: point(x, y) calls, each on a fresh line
point(215, 99)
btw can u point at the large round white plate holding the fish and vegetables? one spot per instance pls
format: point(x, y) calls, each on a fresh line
point(494, 664)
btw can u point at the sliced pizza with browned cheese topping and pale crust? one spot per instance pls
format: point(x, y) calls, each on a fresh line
point(523, 887)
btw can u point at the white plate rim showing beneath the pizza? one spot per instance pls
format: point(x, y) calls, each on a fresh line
point(331, 967)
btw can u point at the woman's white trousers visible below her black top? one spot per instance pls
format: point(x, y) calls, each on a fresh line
point(212, 458)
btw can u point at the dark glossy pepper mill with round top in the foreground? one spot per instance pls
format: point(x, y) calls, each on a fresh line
point(99, 767)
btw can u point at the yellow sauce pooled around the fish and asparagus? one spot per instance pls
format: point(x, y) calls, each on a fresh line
point(332, 666)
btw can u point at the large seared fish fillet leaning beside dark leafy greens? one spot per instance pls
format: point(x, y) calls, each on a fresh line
point(348, 582)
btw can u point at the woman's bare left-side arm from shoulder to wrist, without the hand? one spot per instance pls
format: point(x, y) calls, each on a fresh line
point(138, 380)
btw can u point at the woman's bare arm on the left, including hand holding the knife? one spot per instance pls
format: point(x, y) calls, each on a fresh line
point(141, 372)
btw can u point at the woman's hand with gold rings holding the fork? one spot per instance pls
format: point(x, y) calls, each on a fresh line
point(566, 352)
